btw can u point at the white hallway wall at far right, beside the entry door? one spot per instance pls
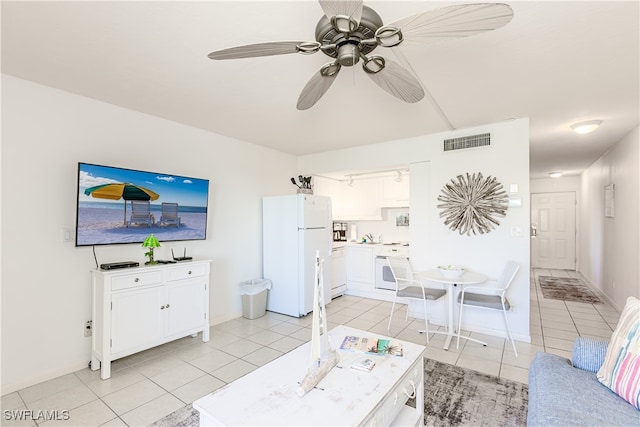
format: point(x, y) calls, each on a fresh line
point(610, 250)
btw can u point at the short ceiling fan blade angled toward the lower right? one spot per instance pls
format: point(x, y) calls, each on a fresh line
point(397, 81)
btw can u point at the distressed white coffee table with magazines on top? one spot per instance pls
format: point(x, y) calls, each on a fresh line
point(345, 397)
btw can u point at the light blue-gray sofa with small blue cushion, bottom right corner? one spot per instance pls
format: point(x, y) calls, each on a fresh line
point(562, 393)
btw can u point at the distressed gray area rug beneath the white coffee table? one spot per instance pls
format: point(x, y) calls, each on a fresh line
point(453, 396)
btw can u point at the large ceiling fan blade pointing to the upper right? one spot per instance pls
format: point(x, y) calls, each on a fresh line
point(454, 22)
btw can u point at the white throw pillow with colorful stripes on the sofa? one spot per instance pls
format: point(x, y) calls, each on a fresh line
point(621, 368)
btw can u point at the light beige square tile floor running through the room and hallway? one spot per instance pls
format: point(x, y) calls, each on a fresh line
point(147, 386)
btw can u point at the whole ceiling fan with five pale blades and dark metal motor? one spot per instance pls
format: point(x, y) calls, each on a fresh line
point(350, 32)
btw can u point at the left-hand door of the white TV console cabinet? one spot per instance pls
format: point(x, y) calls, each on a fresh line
point(136, 319)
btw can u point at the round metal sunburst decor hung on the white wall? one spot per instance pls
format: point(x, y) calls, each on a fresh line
point(472, 204)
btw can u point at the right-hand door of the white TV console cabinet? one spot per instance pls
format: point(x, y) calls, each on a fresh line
point(185, 307)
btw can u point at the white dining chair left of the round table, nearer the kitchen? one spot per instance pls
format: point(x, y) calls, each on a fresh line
point(408, 286)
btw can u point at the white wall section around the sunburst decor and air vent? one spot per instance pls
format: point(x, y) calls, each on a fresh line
point(432, 243)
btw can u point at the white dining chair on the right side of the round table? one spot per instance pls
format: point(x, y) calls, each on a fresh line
point(490, 298)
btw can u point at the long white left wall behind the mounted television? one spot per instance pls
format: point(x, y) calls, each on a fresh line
point(46, 292)
